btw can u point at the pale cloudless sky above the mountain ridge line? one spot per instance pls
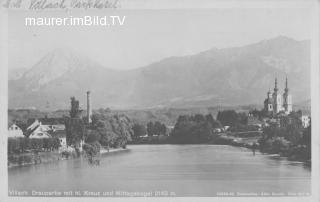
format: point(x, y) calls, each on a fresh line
point(148, 36)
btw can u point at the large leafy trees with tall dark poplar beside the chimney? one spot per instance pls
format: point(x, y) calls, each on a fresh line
point(106, 129)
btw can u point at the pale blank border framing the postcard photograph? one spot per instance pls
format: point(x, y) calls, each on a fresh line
point(181, 4)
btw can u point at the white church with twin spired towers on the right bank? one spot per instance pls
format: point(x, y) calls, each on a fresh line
point(275, 102)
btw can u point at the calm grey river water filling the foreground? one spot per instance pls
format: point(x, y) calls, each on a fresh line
point(168, 170)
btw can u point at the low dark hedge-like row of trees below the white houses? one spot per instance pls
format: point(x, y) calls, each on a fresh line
point(21, 145)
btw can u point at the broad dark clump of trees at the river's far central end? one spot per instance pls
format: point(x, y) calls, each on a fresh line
point(194, 129)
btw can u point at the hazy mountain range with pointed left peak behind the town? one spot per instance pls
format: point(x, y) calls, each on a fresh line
point(229, 76)
